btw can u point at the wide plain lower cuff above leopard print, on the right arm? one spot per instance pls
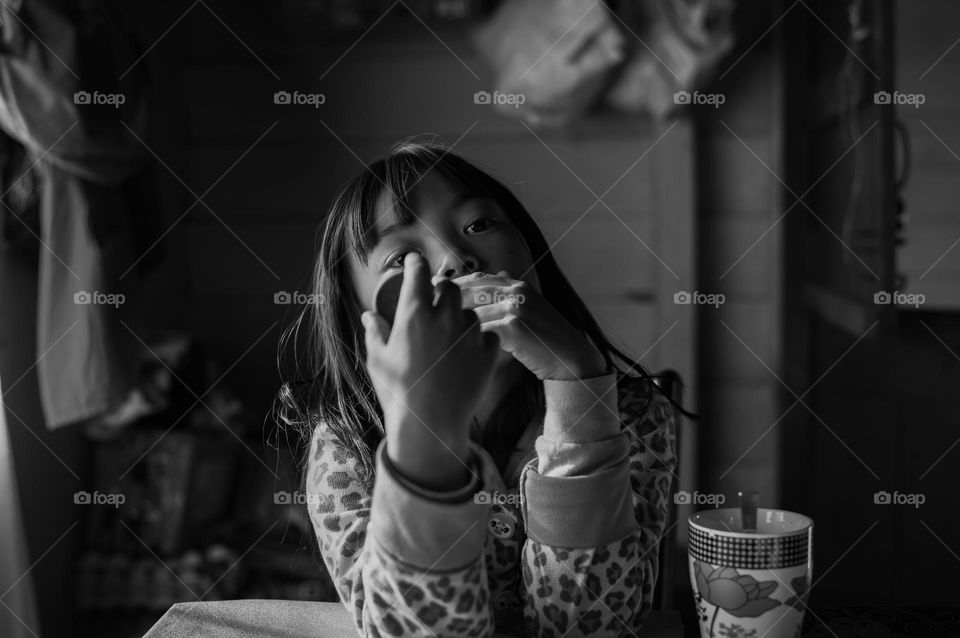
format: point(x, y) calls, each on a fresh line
point(578, 511)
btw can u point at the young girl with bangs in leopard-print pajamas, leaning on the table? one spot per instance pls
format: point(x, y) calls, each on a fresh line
point(482, 466)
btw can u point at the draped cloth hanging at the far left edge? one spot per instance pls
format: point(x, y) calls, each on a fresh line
point(73, 93)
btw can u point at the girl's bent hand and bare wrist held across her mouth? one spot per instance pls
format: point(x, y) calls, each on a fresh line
point(530, 328)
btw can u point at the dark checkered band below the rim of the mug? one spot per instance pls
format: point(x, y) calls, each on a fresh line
point(750, 553)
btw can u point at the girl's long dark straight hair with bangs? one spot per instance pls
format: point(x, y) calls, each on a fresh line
point(330, 383)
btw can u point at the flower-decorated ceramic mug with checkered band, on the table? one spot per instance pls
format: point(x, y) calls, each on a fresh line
point(750, 583)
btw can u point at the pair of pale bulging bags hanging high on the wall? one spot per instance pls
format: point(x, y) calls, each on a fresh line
point(553, 61)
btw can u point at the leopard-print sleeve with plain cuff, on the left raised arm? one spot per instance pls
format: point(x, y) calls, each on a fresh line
point(403, 564)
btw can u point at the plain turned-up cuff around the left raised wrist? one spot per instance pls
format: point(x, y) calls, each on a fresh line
point(421, 531)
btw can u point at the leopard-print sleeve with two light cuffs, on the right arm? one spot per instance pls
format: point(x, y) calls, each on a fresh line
point(596, 502)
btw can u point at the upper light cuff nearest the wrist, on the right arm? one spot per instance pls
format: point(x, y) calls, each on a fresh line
point(581, 410)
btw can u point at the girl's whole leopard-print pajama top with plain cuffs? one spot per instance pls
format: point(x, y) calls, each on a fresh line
point(567, 545)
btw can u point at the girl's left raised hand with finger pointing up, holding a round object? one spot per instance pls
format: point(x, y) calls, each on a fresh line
point(431, 371)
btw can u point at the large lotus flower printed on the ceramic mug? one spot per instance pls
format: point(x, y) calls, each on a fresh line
point(739, 595)
